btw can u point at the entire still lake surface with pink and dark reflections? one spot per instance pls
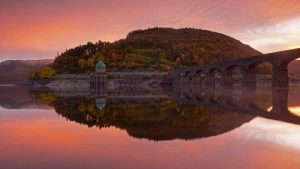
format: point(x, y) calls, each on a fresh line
point(173, 128)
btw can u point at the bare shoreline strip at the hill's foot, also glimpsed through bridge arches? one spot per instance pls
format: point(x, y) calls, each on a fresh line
point(81, 82)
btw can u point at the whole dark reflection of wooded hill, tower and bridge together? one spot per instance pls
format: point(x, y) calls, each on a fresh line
point(185, 113)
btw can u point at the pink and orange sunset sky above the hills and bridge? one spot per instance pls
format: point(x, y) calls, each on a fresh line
point(39, 29)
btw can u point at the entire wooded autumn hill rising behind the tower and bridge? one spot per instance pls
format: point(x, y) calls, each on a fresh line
point(160, 48)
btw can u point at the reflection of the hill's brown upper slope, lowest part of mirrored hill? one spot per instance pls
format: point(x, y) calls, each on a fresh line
point(204, 125)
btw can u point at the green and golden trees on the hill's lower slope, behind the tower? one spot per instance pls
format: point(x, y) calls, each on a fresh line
point(121, 54)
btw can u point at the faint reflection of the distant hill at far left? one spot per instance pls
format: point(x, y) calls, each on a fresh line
point(19, 98)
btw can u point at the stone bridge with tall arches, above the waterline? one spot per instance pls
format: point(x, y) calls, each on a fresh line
point(206, 73)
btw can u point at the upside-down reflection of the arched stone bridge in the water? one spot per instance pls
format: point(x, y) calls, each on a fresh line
point(244, 103)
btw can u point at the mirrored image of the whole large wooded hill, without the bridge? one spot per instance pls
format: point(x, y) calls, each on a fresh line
point(160, 120)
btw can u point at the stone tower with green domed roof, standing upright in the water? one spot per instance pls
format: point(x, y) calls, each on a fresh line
point(99, 79)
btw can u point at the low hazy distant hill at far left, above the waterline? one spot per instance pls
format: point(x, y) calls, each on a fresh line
point(15, 71)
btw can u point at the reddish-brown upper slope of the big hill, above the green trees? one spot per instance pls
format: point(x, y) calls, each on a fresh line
point(204, 46)
